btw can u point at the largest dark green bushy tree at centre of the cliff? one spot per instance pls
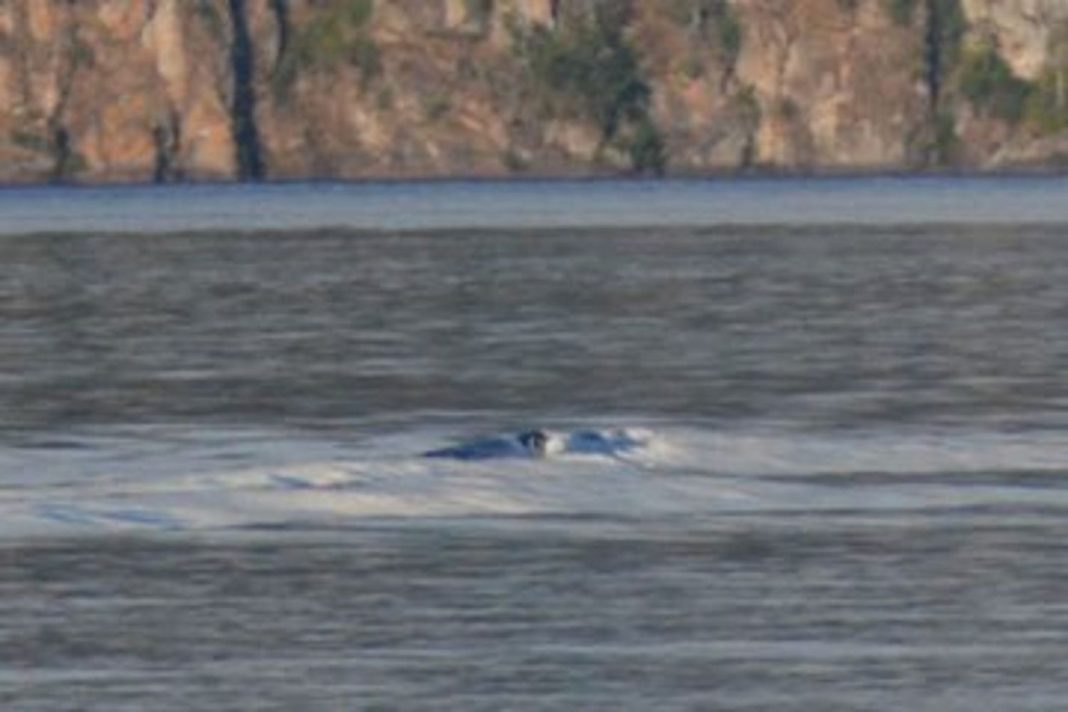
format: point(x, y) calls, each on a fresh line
point(590, 71)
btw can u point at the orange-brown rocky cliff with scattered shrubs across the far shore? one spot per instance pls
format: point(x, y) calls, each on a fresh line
point(164, 90)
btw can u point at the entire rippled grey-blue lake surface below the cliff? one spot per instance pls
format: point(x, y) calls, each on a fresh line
point(851, 492)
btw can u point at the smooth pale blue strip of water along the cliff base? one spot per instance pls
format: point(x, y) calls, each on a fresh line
point(539, 204)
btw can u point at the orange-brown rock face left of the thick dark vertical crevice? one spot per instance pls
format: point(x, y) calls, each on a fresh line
point(113, 90)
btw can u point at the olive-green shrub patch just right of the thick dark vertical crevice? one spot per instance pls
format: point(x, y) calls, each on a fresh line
point(335, 38)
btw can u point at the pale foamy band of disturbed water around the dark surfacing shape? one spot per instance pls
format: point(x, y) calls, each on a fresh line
point(618, 474)
